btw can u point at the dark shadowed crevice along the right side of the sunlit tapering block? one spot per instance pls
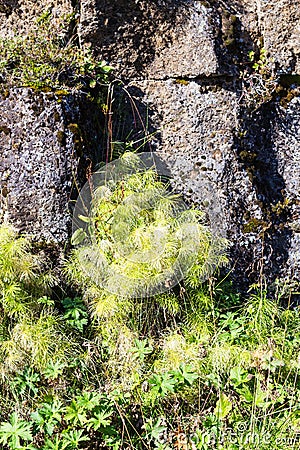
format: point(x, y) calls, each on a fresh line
point(257, 155)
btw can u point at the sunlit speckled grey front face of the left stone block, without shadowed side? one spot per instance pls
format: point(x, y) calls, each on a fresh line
point(36, 169)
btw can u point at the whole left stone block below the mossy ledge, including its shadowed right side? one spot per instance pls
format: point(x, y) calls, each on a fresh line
point(45, 151)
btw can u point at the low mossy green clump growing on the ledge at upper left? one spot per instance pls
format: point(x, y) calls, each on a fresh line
point(49, 58)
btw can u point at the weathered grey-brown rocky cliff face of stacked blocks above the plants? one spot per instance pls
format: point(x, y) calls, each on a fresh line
point(229, 131)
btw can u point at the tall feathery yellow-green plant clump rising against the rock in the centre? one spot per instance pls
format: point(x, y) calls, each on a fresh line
point(141, 237)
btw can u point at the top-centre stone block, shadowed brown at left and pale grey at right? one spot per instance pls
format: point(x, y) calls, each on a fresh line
point(152, 39)
